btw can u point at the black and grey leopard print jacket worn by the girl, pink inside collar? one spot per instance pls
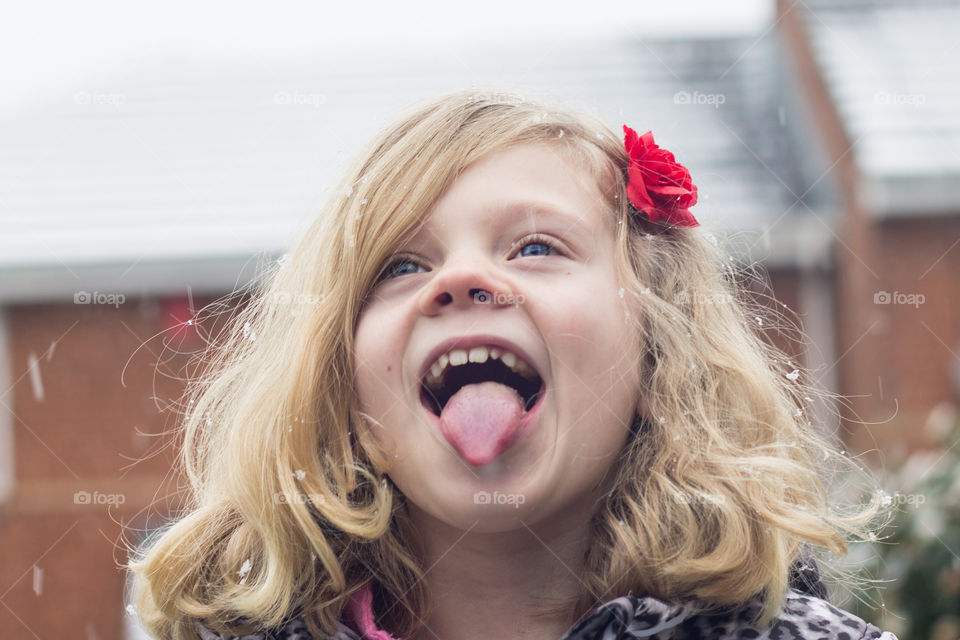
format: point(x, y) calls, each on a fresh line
point(806, 615)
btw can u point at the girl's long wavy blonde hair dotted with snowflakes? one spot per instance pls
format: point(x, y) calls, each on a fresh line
point(291, 512)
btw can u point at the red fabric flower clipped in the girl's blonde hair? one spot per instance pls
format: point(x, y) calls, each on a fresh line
point(658, 185)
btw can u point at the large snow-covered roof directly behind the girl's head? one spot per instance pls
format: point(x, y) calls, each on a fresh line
point(180, 171)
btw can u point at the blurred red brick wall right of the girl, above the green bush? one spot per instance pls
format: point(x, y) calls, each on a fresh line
point(912, 349)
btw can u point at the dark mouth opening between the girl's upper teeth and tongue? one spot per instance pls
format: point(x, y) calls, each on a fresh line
point(435, 394)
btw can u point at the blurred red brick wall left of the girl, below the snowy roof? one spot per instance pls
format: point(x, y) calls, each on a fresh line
point(97, 428)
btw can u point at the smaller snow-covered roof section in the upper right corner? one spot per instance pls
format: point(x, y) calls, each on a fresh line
point(893, 71)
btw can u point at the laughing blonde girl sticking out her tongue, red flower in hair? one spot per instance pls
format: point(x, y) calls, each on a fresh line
point(503, 387)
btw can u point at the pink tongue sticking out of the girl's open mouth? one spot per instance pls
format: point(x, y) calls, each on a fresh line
point(481, 419)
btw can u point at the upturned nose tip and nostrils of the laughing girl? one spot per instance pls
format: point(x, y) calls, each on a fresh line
point(463, 286)
